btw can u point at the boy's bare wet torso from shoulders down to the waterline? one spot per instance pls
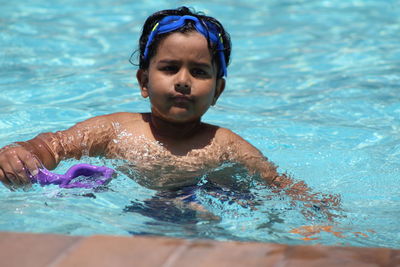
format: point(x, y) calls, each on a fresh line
point(165, 164)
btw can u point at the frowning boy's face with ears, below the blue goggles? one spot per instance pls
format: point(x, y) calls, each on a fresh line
point(181, 80)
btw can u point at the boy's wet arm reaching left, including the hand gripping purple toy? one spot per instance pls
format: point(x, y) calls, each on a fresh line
point(89, 137)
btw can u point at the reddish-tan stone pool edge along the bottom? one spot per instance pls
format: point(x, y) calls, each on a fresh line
point(25, 249)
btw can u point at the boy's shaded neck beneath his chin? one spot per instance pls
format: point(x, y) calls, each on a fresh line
point(169, 130)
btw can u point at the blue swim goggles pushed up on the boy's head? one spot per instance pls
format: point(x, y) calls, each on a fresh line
point(171, 23)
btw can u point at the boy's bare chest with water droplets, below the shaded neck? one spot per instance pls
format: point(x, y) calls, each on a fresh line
point(157, 167)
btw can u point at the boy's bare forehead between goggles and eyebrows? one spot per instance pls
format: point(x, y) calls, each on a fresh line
point(184, 46)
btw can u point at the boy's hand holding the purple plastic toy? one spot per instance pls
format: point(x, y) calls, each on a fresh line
point(16, 166)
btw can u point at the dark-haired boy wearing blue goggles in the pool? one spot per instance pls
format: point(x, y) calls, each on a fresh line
point(183, 59)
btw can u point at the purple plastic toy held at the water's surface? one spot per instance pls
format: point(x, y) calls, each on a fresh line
point(97, 175)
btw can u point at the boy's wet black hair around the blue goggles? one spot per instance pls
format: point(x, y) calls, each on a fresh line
point(152, 20)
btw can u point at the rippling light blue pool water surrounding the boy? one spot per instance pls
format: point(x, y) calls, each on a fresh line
point(313, 84)
